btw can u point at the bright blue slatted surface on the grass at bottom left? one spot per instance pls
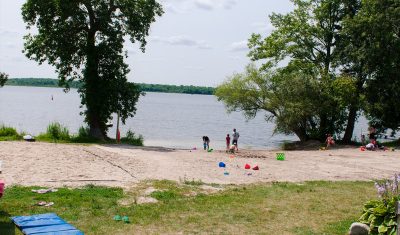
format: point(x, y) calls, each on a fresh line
point(44, 224)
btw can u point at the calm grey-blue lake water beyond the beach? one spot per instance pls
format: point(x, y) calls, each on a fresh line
point(169, 120)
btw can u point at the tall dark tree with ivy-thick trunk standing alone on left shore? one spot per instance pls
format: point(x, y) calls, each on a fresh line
point(84, 39)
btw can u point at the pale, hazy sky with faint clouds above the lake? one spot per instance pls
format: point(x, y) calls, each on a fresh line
point(195, 42)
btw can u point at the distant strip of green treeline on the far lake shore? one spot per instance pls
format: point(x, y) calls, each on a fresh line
point(47, 82)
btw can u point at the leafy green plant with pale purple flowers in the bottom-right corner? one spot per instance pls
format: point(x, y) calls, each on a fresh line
point(380, 215)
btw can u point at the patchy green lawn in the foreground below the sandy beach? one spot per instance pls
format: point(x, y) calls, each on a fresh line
point(278, 208)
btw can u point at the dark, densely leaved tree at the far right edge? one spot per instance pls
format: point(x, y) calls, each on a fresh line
point(375, 48)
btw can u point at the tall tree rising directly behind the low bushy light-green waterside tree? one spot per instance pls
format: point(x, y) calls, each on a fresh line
point(306, 40)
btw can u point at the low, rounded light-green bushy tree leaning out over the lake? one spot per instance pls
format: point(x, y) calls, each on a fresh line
point(276, 92)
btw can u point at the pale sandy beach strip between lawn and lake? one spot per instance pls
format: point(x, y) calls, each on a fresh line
point(55, 165)
